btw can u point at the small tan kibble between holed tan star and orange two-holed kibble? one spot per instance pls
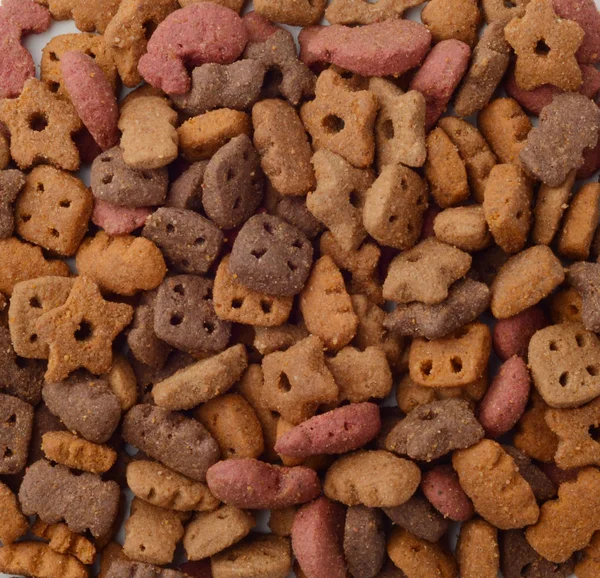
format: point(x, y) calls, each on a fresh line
point(361, 375)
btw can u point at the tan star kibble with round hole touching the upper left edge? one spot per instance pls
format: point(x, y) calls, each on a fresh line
point(41, 126)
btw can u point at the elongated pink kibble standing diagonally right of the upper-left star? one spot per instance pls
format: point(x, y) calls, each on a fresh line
point(92, 96)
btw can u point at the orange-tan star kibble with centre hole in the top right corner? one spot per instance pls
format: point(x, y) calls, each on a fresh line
point(545, 46)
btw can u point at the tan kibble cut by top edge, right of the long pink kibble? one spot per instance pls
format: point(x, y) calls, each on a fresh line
point(452, 19)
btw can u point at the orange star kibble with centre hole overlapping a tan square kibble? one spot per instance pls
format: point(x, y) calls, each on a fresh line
point(80, 332)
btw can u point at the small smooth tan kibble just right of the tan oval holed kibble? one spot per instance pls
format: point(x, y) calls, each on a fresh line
point(463, 227)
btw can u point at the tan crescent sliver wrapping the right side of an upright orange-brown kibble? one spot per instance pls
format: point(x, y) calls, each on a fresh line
point(474, 150)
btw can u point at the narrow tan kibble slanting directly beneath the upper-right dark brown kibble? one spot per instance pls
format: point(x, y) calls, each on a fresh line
point(550, 205)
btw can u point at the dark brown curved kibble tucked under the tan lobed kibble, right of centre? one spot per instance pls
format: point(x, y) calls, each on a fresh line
point(467, 299)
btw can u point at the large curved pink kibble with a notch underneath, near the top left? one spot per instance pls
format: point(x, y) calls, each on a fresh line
point(194, 35)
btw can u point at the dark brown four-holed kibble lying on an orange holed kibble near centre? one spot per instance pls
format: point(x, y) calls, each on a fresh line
point(271, 256)
